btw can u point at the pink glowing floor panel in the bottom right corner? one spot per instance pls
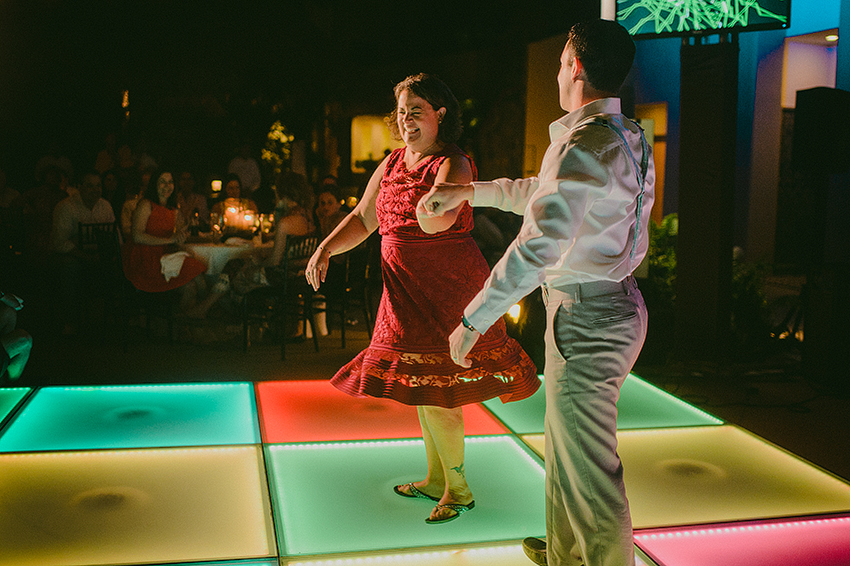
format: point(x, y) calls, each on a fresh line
point(806, 542)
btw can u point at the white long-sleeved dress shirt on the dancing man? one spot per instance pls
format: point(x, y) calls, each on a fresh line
point(579, 214)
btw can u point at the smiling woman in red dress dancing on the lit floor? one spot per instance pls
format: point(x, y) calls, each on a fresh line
point(431, 269)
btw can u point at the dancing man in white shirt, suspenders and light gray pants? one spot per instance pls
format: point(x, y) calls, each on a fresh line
point(585, 220)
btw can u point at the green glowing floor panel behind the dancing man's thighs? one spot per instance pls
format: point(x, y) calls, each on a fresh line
point(641, 405)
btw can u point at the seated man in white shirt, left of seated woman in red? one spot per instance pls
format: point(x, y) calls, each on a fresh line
point(86, 206)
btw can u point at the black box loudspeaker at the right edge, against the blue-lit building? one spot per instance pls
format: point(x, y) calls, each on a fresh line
point(821, 140)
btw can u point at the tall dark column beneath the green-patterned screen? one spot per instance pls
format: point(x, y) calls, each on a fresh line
point(709, 98)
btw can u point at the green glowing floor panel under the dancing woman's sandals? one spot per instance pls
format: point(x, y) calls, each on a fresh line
point(338, 497)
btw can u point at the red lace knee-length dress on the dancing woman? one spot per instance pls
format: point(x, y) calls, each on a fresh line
point(428, 281)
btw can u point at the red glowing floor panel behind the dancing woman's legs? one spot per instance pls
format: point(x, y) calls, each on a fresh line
point(315, 411)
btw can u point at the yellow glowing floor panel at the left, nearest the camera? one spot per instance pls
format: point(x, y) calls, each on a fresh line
point(139, 506)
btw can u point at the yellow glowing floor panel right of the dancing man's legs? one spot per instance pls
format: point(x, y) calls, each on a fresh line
point(717, 474)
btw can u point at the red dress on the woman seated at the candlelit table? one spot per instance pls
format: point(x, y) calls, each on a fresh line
point(142, 262)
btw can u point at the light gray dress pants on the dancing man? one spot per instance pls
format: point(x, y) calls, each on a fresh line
point(594, 334)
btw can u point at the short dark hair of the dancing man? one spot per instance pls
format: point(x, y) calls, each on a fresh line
point(606, 51)
